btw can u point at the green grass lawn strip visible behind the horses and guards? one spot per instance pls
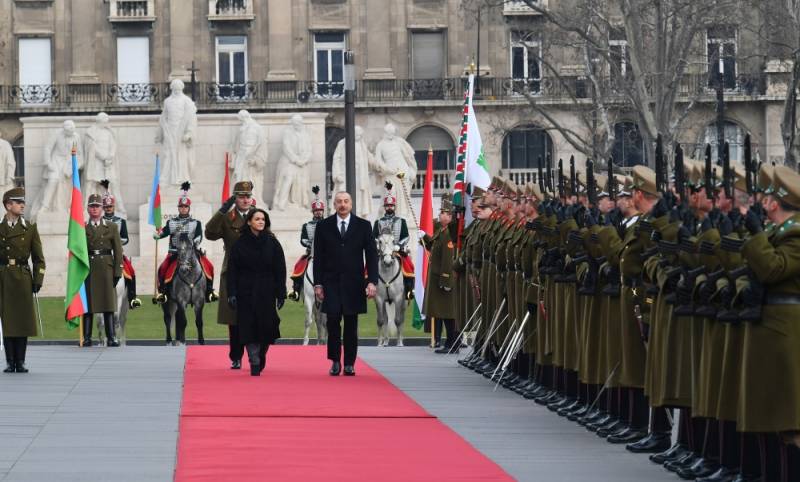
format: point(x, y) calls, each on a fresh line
point(146, 323)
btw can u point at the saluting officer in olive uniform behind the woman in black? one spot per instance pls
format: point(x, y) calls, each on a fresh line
point(225, 225)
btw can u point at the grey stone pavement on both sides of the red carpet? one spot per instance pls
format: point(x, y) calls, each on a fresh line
point(112, 415)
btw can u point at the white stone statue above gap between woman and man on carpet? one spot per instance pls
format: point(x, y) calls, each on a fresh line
point(292, 181)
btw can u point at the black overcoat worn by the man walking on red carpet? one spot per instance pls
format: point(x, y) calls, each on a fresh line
point(339, 264)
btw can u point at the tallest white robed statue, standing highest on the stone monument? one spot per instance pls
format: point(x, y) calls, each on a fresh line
point(176, 129)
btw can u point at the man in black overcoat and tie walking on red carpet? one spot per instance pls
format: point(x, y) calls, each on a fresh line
point(343, 247)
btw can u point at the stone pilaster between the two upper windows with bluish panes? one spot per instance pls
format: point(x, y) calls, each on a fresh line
point(281, 65)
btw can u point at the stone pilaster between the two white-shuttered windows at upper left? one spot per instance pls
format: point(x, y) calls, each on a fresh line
point(83, 30)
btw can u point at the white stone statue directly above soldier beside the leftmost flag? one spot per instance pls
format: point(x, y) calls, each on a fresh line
point(100, 148)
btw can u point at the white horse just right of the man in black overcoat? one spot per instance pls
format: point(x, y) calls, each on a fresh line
point(390, 291)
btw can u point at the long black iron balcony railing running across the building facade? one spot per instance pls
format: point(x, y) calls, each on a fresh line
point(210, 95)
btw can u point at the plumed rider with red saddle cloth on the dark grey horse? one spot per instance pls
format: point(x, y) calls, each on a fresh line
point(183, 225)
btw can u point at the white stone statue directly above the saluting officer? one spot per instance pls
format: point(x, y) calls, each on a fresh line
point(249, 155)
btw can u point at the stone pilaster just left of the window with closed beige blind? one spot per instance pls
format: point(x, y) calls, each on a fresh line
point(378, 46)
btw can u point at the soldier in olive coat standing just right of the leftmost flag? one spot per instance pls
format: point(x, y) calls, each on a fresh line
point(105, 270)
